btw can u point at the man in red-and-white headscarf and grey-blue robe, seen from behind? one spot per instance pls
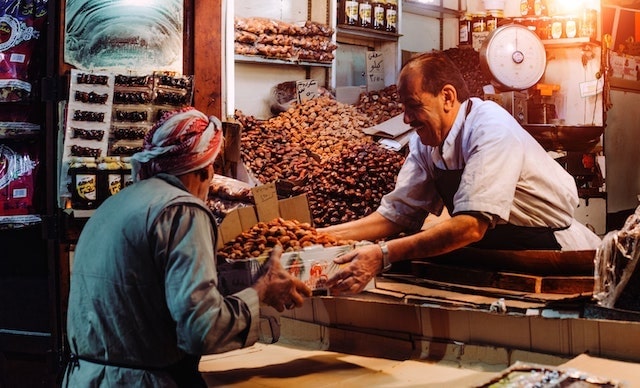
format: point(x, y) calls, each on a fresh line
point(143, 303)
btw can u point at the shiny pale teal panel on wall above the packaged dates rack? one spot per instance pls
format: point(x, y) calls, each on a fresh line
point(124, 34)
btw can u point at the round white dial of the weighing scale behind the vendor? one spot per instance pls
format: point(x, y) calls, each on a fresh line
point(514, 57)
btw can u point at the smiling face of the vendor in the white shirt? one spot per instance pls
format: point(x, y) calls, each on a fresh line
point(423, 110)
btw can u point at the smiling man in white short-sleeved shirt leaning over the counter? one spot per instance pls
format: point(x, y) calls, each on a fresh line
point(502, 190)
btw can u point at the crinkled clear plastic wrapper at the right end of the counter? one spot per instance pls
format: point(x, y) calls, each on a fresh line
point(615, 264)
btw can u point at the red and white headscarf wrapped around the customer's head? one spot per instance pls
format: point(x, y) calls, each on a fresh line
point(180, 142)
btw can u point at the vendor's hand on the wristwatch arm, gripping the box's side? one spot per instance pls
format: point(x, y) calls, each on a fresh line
point(364, 263)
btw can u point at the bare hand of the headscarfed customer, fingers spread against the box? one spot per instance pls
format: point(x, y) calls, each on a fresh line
point(277, 288)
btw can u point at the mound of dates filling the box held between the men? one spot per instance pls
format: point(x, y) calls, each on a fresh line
point(262, 237)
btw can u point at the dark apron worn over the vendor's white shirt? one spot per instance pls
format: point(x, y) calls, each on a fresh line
point(503, 236)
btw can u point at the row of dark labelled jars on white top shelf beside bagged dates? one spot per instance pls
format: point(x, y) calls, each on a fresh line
point(379, 15)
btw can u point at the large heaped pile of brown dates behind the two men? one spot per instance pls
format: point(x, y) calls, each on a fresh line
point(319, 149)
